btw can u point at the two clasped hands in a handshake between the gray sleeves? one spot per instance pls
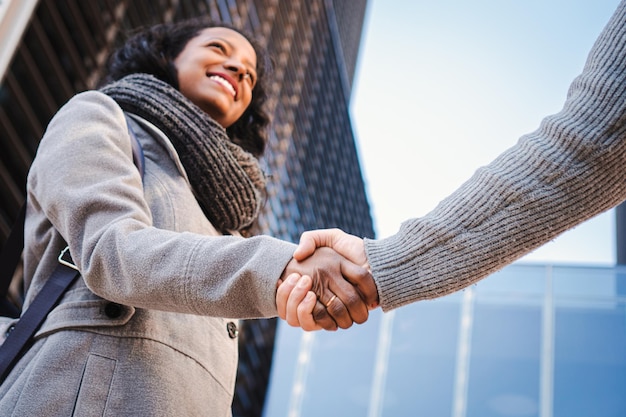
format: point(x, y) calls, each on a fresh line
point(328, 283)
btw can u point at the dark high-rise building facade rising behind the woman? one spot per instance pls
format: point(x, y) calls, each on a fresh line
point(54, 49)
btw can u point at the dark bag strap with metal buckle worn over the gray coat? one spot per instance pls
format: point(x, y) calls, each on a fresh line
point(21, 334)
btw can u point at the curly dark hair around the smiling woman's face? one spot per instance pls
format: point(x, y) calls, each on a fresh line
point(153, 51)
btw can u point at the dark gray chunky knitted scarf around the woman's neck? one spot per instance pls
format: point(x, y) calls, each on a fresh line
point(226, 180)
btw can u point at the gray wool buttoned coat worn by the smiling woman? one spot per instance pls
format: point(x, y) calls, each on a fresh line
point(145, 331)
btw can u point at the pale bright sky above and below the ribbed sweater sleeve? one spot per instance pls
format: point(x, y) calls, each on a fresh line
point(444, 86)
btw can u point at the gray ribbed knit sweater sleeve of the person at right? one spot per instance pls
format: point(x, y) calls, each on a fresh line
point(570, 169)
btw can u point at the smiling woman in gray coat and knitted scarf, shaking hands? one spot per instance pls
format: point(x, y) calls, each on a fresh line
point(146, 330)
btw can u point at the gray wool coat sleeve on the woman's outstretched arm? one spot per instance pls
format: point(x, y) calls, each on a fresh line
point(83, 180)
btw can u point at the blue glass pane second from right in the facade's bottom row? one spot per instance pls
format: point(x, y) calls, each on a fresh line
point(504, 368)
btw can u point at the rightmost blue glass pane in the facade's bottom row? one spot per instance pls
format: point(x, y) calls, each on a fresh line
point(590, 361)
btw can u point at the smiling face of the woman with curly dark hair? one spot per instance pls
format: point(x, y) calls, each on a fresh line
point(217, 72)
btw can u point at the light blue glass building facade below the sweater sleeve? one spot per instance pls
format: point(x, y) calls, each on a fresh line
point(532, 340)
